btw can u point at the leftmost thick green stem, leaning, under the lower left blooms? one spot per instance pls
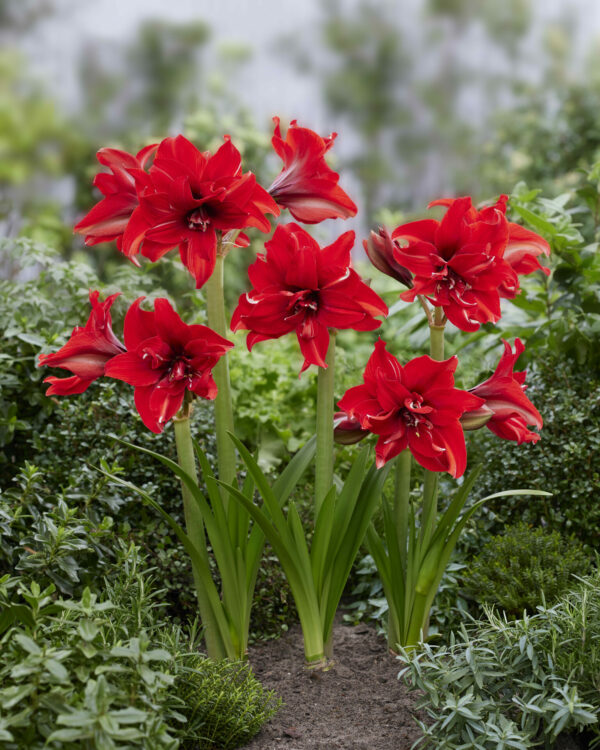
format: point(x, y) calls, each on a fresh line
point(195, 530)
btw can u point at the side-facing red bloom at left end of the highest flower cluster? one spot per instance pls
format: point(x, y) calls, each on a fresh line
point(109, 217)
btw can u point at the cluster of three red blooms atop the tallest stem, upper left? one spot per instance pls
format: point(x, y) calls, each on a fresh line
point(173, 195)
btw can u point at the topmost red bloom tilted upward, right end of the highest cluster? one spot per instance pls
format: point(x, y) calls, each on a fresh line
point(307, 186)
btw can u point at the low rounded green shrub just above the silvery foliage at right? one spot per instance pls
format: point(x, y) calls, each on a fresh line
point(525, 567)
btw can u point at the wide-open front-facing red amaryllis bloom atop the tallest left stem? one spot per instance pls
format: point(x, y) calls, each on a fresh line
point(192, 197)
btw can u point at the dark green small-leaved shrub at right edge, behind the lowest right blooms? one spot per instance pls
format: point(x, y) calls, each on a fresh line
point(565, 461)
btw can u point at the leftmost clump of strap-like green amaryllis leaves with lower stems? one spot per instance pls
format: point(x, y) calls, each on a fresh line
point(236, 543)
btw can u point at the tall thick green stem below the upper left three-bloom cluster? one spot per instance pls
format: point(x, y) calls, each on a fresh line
point(215, 303)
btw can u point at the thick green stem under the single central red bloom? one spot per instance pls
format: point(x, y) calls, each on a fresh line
point(324, 456)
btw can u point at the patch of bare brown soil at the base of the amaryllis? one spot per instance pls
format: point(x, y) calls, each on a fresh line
point(358, 704)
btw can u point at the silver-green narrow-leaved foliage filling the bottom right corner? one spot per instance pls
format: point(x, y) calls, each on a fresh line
point(514, 684)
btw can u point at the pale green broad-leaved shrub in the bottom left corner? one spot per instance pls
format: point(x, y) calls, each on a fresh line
point(82, 672)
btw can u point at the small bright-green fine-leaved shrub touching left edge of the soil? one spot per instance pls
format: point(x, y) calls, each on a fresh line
point(224, 704)
